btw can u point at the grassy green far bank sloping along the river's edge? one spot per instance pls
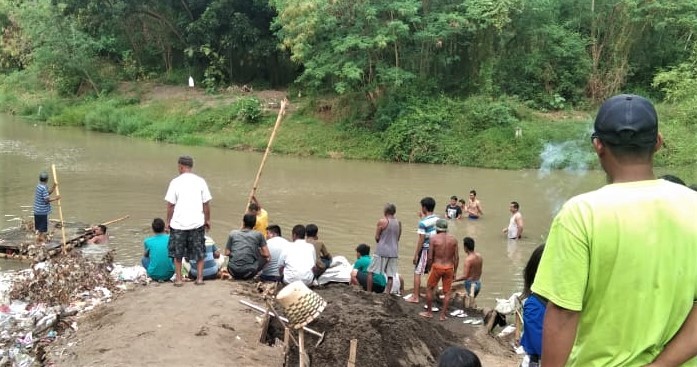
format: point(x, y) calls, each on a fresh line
point(477, 132)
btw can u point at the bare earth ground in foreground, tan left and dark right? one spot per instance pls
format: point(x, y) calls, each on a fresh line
point(160, 325)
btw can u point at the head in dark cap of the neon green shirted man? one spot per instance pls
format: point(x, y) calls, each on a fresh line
point(626, 133)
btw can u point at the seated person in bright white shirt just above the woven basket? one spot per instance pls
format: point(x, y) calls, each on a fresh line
point(297, 259)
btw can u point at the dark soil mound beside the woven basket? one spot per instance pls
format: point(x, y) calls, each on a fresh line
point(389, 332)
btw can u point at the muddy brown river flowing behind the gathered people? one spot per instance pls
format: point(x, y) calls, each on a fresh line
point(105, 176)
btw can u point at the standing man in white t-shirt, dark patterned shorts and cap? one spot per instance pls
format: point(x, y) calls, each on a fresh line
point(188, 218)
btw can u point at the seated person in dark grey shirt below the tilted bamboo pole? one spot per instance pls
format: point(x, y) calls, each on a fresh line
point(247, 250)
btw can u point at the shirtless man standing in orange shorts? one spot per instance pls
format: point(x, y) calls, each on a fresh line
point(443, 258)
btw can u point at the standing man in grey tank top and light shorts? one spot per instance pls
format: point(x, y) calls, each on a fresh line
point(387, 235)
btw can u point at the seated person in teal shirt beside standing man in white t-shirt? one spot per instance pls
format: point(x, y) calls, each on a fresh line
point(156, 260)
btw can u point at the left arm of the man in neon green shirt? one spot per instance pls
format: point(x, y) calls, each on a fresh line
point(558, 334)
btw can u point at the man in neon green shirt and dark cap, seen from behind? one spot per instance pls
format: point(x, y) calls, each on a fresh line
point(620, 266)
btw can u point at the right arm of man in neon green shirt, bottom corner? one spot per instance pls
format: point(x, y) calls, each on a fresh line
point(683, 346)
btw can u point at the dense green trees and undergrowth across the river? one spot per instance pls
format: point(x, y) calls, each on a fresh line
point(418, 81)
